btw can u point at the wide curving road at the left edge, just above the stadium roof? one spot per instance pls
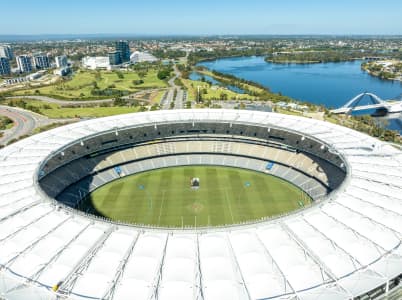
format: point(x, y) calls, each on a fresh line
point(24, 122)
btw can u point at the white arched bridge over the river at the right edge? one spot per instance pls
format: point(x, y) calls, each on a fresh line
point(376, 103)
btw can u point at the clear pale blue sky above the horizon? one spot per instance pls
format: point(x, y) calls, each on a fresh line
point(201, 17)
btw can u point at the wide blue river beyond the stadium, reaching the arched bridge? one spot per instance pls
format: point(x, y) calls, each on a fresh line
point(329, 84)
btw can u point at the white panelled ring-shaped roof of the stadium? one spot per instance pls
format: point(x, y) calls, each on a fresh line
point(338, 249)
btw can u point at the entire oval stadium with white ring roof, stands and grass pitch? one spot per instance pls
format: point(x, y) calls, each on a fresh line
point(335, 232)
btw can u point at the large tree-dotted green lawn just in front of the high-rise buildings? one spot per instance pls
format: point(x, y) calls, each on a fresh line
point(82, 83)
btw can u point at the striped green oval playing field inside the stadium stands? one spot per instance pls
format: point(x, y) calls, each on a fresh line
point(226, 195)
